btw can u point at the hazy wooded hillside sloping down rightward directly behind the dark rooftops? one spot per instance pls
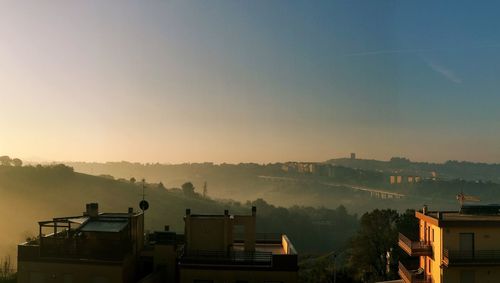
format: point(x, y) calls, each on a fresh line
point(34, 193)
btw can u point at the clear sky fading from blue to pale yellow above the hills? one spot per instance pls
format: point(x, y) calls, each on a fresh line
point(249, 81)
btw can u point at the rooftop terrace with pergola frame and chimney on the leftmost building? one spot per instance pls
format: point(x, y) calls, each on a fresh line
point(91, 236)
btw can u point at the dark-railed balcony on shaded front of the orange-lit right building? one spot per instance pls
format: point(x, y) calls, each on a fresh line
point(477, 257)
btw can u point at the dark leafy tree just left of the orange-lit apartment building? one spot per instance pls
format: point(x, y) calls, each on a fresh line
point(377, 235)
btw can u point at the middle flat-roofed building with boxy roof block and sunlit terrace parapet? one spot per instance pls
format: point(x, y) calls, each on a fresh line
point(226, 248)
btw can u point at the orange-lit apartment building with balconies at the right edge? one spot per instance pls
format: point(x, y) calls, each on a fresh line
point(454, 246)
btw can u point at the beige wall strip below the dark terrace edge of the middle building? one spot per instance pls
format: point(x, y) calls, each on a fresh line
point(224, 276)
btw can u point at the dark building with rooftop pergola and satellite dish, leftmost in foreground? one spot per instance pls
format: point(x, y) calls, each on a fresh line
point(93, 247)
